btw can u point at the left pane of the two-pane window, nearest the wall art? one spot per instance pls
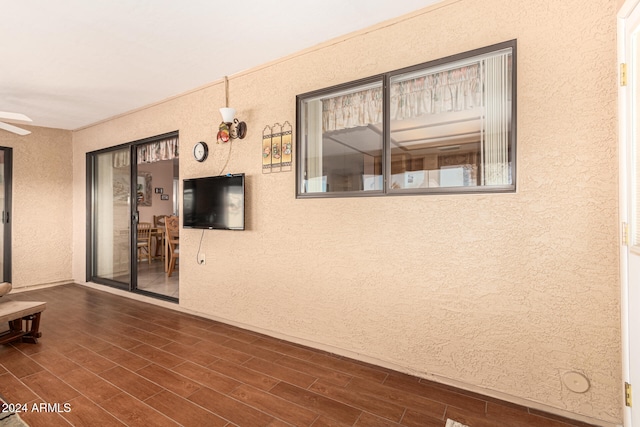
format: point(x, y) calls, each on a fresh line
point(343, 145)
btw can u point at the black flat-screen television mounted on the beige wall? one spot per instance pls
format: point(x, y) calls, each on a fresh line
point(214, 203)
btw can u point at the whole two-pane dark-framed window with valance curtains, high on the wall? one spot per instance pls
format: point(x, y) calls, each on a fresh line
point(444, 126)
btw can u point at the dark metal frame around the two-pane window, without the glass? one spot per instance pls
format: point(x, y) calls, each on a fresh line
point(385, 80)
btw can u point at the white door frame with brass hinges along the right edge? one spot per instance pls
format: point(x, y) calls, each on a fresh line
point(624, 127)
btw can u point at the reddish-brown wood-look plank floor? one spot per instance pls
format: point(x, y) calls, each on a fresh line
point(117, 361)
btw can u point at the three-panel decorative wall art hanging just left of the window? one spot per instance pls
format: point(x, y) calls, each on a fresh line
point(277, 148)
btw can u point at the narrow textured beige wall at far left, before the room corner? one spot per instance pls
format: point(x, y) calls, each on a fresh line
point(42, 206)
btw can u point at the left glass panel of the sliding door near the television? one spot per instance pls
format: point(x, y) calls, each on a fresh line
point(110, 223)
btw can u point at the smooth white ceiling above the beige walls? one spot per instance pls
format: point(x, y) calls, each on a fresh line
point(70, 63)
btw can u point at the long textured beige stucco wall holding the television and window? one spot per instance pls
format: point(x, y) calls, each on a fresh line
point(497, 292)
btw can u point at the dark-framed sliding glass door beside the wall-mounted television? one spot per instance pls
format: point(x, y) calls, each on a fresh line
point(130, 191)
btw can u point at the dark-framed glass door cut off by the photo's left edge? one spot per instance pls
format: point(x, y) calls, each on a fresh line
point(5, 206)
